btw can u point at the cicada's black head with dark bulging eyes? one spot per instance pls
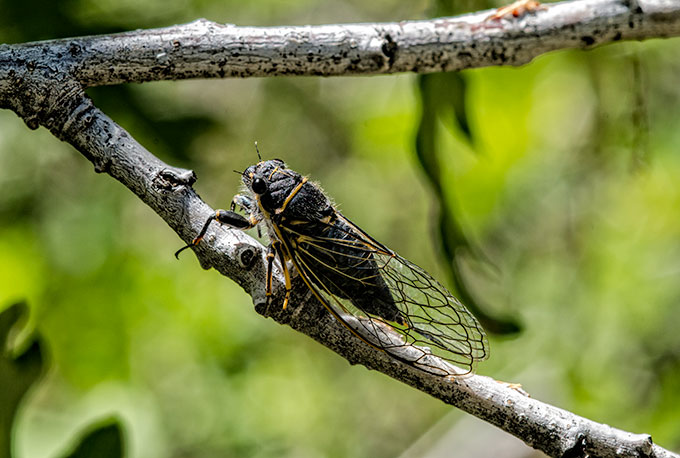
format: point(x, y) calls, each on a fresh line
point(271, 182)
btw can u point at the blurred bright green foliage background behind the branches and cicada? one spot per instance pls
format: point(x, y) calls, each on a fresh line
point(565, 175)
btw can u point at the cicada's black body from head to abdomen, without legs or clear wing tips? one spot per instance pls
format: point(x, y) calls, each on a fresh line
point(301, 217)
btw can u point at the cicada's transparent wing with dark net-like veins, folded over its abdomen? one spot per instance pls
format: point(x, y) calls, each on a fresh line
point(374, 291)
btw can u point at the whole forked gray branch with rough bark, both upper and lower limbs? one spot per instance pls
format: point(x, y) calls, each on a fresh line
point(45, 82)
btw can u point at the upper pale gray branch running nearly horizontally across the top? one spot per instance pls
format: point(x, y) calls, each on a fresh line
point(204, 49)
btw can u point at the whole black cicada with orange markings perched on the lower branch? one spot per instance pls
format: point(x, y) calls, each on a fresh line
point(352, 274)
